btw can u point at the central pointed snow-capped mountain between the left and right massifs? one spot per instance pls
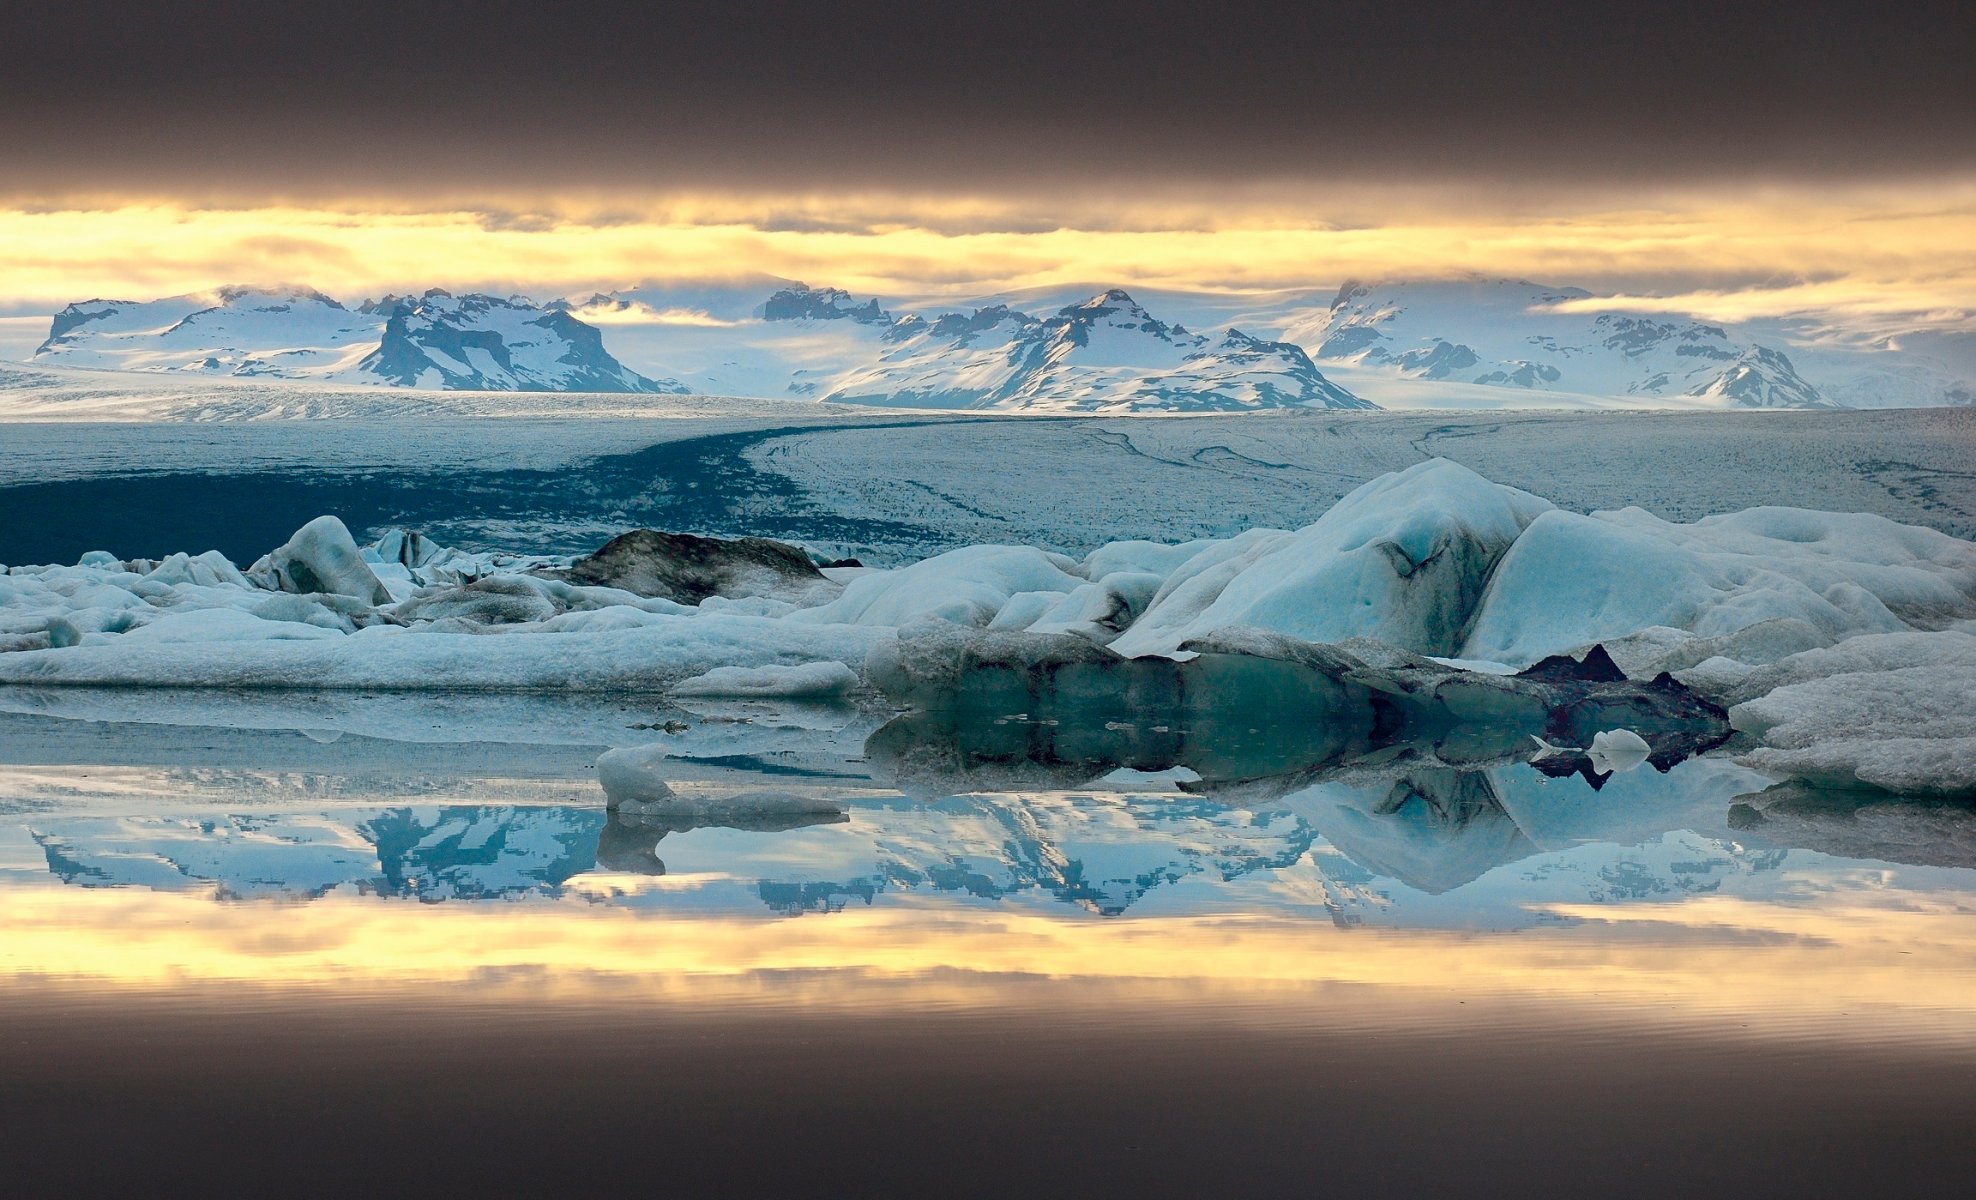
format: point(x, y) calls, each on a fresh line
point(1106, 355)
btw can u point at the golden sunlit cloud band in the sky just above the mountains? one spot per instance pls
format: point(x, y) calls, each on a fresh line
point(1860, 258)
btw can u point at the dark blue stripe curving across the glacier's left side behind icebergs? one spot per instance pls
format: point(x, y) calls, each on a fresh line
point(699, 485)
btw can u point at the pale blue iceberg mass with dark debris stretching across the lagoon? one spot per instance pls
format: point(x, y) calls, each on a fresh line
point(1839, 643)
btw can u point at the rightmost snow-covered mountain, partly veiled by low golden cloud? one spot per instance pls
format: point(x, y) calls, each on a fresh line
point(1515, 335)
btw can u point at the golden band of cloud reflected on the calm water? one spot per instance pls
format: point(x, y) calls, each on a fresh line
point(1870, 970)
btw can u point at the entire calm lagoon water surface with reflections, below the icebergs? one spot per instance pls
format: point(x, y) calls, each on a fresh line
point(313, 946)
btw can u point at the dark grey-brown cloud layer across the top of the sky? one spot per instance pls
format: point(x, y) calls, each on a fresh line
point(361, 96)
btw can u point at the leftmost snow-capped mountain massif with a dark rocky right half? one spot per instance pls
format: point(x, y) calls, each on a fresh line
point(293, 333)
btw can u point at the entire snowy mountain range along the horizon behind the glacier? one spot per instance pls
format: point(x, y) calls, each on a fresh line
point(1418, 345)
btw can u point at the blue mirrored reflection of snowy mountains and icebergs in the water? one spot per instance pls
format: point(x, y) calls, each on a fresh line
point(1264, 829)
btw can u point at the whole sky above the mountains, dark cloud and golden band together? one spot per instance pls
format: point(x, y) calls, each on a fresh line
point(1732, 161)
